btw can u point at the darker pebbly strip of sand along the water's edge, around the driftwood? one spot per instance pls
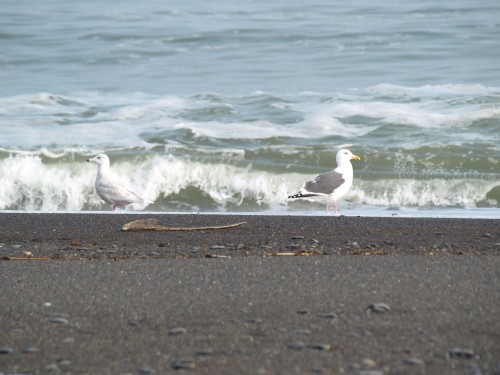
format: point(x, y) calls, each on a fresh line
point(81, 236)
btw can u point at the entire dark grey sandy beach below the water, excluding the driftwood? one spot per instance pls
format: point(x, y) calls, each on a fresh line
point(112, 302)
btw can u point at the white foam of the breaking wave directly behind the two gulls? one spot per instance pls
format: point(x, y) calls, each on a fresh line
point(29, 184)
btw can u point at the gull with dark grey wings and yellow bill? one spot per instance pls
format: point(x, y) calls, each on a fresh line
point(335, 183)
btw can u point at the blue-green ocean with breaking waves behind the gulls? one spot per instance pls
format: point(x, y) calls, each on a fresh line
point(230, 106)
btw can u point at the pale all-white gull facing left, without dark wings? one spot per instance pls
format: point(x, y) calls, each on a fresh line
point(110, 190)
